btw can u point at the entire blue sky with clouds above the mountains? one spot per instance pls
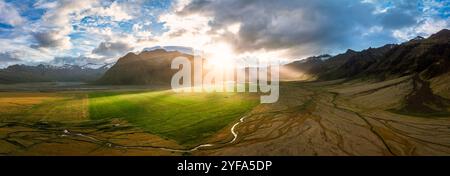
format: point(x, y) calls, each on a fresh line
point(100, 31)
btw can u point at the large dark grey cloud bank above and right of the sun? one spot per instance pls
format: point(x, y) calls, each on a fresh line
point(302, 25)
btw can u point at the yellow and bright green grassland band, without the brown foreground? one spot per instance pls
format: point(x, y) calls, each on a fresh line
point(187, 118)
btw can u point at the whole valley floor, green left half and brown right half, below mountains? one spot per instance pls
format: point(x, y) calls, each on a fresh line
point(312, 118)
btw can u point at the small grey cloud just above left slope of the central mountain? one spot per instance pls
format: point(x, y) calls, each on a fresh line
point(111, 48)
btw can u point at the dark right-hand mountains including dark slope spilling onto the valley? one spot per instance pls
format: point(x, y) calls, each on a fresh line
point(425, 60)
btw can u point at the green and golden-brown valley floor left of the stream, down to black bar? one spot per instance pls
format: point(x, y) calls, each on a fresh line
point(114, 122)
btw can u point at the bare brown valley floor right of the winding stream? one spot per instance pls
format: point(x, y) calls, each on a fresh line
point(339, 119)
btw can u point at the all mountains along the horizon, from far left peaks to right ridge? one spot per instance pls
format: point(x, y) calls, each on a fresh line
point(427, 57)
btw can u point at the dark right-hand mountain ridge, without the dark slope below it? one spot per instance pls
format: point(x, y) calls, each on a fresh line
point(428, 57)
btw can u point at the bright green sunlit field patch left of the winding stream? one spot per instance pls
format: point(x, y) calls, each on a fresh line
point(187, 118)
